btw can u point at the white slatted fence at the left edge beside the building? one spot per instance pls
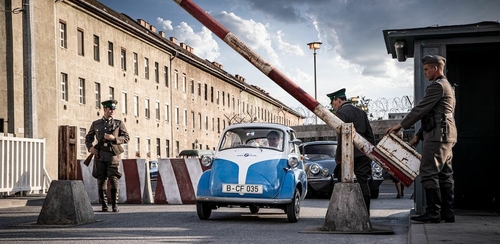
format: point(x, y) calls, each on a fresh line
point(22, 165)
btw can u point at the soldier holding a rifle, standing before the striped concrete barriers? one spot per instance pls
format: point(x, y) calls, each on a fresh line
point(110, 133)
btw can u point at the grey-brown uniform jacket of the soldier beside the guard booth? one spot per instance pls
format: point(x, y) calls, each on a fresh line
point(439, 99)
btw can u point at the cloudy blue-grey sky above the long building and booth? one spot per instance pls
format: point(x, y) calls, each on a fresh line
point(353, 54)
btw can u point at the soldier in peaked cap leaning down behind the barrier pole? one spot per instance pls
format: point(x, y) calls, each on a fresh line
point(349, 113)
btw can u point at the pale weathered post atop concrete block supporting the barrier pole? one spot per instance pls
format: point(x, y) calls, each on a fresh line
point(347, 175)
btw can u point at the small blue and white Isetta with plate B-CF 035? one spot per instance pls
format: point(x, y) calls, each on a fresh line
point(255, 165)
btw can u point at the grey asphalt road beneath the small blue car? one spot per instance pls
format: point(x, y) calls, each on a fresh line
point(153, 223)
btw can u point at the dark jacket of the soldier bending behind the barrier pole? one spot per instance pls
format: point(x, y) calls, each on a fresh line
point(351, 114)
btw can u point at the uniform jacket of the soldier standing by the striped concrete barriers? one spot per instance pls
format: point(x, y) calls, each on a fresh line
point(111, 126)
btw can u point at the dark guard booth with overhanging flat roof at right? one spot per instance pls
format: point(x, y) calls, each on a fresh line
point(473, 67)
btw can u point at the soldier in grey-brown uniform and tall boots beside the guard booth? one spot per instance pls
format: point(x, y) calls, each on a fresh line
point(439, 133)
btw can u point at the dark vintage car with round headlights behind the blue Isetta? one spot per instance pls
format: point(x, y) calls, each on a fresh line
point(319, 162)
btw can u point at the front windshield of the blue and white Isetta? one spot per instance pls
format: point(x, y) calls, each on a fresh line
point(253, 137)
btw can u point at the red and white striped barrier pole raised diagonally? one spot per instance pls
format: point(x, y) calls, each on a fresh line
point(289, 86)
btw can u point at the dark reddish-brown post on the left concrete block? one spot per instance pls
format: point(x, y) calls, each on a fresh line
point(67, 153)
